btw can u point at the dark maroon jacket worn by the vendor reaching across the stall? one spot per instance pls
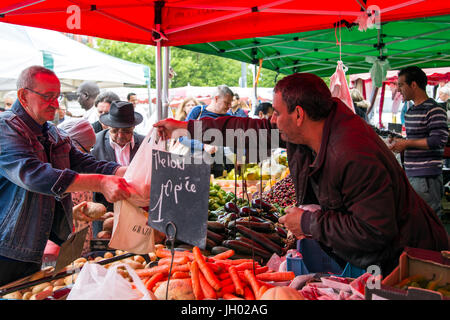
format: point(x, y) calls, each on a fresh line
point(369, 211)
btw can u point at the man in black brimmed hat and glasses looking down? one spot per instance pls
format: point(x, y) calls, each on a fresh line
point(119, 143)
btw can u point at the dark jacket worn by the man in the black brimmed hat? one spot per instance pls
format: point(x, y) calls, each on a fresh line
point(103, 151)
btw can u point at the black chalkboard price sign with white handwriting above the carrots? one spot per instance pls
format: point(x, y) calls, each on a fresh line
point(179, 193)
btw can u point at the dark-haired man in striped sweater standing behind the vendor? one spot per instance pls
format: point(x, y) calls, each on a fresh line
point(426, 136)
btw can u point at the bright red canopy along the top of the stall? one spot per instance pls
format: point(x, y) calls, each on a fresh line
point(199, 21)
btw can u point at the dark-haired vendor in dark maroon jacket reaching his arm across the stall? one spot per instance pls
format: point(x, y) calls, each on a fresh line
point(368, 210)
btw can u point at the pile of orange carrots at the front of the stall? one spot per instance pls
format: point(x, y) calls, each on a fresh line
point(213, 277)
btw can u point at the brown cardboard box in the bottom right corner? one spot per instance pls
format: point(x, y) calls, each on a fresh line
point(413, 261)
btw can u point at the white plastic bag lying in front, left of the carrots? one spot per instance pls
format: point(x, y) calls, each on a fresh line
point(98, 283)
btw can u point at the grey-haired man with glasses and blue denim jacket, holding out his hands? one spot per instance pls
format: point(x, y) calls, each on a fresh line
point(39, 168)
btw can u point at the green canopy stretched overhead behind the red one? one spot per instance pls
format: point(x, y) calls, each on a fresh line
point(424, 42)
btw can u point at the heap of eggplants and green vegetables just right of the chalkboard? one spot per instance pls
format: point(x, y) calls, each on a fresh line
point(249, 228)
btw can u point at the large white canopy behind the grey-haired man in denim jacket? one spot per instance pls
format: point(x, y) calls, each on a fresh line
point(72, 61)
